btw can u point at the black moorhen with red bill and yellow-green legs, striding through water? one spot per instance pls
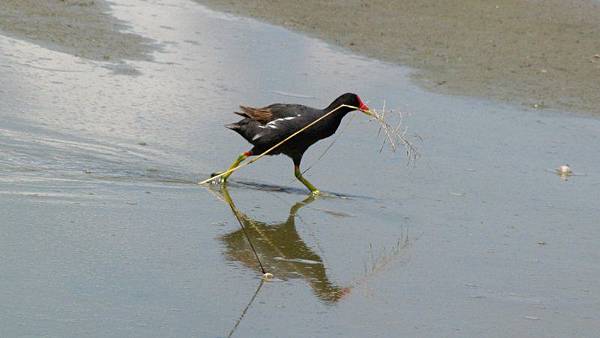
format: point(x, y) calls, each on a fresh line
point(265, 127)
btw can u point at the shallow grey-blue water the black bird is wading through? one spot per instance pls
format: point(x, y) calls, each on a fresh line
point(105, 233)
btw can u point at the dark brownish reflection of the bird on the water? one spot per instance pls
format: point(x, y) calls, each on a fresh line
point(281, 250)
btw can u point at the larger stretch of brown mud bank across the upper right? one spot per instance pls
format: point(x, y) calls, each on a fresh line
point(536, 53)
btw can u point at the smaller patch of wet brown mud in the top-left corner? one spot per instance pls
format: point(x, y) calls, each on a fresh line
point(82, 28)
